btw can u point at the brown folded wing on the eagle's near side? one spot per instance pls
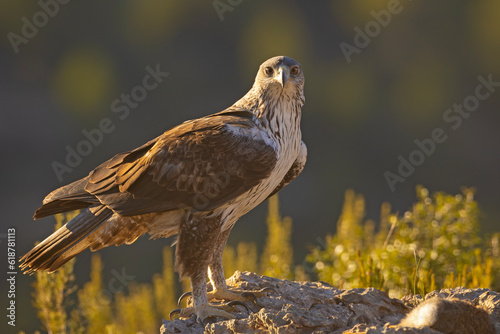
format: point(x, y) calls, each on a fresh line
point(199, 164)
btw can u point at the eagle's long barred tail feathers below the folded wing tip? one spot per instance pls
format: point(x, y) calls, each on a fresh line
point(67, 242)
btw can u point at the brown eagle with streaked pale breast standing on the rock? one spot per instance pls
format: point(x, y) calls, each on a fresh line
point(193, 181)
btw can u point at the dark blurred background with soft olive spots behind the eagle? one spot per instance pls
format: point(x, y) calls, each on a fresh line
point(358, 117)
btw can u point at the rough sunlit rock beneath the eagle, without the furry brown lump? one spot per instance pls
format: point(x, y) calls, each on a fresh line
point(317, 307)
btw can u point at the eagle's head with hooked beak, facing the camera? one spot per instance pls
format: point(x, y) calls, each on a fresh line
point(280, 76)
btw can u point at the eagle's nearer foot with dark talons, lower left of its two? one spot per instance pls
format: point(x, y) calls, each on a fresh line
point(208, 313)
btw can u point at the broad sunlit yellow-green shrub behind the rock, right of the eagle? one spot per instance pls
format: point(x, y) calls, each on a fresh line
point(434, 245)
